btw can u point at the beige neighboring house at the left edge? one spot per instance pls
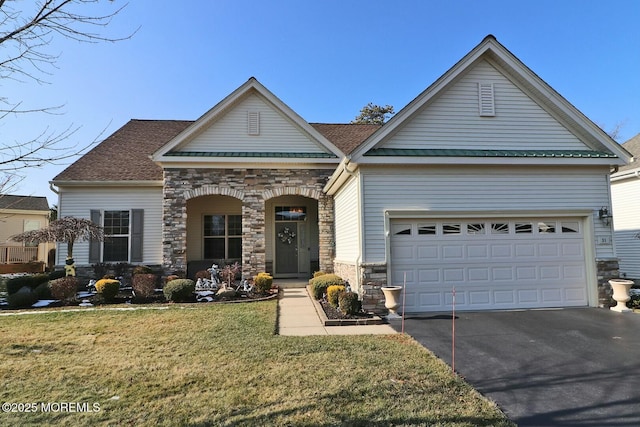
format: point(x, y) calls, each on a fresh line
point(19, 214)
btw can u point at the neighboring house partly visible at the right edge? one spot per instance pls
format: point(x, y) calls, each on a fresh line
point(625, 199)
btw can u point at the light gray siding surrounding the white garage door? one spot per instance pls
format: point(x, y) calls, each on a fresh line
point(449, 189)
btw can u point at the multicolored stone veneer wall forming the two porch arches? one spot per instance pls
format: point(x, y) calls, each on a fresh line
point(253, 187)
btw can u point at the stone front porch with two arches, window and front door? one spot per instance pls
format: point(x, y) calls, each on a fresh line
point(275, 221)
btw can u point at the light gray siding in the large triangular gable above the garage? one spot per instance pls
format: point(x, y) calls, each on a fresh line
point(452, 120)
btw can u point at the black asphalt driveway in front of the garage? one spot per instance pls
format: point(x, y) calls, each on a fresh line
point(566, 367)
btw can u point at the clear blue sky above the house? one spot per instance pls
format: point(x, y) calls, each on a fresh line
point(325, 59)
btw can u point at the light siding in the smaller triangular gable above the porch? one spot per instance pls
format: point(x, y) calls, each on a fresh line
point(230, 133)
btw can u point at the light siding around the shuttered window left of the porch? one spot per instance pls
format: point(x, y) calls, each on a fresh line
point(79, 202)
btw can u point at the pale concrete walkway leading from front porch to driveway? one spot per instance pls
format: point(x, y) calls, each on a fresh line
point(298, 317)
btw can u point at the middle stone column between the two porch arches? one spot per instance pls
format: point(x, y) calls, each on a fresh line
point(253, 235)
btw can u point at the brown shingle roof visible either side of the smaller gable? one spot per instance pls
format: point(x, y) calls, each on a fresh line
point(124, 156)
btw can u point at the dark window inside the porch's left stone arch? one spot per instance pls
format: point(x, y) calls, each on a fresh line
point(222, 236)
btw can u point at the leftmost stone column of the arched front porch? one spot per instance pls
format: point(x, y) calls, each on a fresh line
point(174, 229)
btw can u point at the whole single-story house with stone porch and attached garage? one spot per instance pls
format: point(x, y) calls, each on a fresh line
point(488, 182)
